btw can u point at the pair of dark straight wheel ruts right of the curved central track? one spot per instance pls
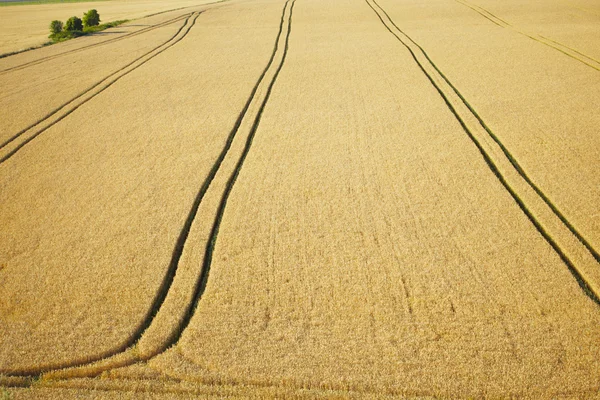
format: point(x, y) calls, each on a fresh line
point(591, 290)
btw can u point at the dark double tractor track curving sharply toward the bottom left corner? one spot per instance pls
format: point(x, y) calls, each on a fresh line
point(79, 369)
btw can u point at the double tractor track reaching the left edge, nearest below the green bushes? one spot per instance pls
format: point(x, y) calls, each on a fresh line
point(64, 110)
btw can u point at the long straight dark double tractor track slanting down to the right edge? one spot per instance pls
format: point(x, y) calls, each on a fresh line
point(587, 278)
